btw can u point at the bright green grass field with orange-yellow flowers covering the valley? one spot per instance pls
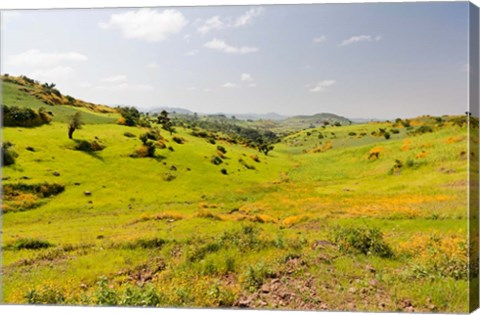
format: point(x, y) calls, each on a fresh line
point(292, 230)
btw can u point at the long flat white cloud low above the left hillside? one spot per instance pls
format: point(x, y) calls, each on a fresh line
point(36, 58)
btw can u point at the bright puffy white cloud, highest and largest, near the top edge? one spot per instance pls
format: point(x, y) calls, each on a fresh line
point(147, 24)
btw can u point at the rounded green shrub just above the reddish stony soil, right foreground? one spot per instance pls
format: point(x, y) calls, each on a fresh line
point(367, 241)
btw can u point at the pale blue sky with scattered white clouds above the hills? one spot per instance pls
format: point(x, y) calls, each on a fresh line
point(379, 60)
